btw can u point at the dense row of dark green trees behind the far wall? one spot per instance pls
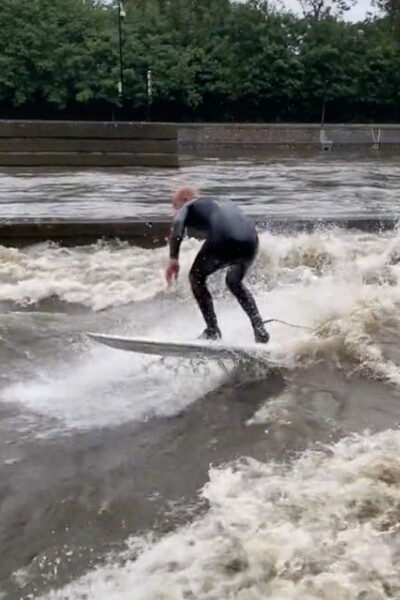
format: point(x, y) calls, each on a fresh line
point(212, 60)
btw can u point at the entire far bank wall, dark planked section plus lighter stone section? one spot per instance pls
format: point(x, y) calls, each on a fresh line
point(84, 144)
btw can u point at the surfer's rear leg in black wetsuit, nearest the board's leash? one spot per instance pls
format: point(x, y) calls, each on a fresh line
point(234, 281)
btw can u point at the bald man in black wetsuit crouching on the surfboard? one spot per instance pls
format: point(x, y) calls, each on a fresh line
point(231, 241)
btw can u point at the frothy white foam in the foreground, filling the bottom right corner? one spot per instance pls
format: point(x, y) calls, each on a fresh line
point(322, 527)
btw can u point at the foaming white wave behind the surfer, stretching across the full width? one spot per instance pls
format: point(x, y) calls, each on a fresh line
point(342, 286)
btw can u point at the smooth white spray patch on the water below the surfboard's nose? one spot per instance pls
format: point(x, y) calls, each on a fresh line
point(103, 389)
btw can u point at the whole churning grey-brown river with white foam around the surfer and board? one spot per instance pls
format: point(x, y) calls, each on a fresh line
point(130, 477)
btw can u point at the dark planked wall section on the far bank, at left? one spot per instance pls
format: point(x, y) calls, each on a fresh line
point(88, 144)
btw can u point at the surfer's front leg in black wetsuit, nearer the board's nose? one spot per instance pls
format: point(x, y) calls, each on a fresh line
point(207, 261)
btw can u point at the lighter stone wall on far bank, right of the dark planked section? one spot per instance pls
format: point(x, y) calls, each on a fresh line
point(207, 138)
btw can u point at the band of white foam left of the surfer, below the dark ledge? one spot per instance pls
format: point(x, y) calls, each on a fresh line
point(97, 277)
